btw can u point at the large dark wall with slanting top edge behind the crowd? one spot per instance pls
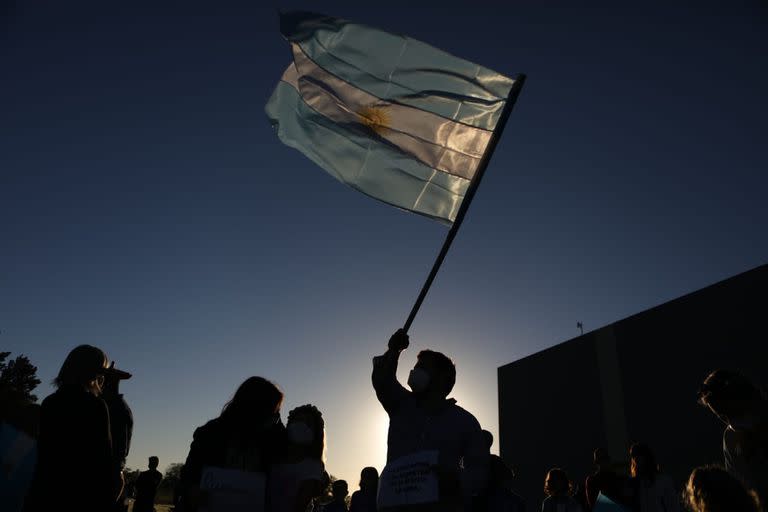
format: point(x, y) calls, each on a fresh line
point(635, 380)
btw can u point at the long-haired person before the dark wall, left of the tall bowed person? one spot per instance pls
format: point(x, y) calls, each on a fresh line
point(650, 490)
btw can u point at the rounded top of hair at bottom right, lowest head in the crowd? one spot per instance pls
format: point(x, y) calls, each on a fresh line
point(713, 489)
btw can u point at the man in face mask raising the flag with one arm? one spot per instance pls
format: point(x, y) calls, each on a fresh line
point(424, 423)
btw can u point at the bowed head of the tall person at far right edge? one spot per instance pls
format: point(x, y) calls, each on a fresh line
point(732, 397)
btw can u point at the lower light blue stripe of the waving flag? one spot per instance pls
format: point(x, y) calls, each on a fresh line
point(364, 163)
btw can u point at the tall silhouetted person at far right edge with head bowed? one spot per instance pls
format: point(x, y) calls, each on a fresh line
point(742, 407)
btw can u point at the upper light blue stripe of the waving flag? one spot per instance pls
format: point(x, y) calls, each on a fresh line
point(398, 68)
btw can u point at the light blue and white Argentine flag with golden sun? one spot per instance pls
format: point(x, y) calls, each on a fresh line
point(392, 117)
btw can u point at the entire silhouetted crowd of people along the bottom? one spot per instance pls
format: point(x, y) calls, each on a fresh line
point(438, 456)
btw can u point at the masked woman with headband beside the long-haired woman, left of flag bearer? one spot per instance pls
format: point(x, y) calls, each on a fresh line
point(297, 474)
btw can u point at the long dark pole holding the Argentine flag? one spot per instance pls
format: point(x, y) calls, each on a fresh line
point(468, 196)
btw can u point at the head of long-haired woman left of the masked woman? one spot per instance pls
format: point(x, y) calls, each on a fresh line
point(256, 404)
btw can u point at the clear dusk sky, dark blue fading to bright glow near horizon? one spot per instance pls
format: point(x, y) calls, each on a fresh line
point(147, 207)
